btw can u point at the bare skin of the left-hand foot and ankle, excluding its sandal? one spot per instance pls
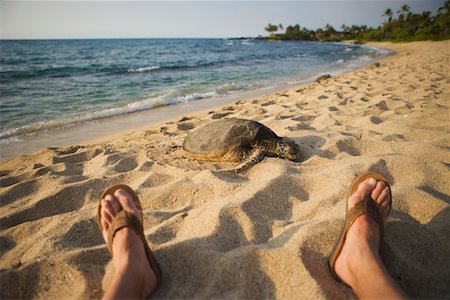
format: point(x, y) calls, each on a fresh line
point(133, 277)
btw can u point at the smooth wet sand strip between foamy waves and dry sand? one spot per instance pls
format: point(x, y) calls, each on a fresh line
point(102, 130)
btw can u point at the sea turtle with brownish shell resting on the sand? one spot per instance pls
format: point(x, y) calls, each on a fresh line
point(239, 140)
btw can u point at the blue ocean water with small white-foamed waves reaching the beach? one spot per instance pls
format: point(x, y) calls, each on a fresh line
point(55, 84)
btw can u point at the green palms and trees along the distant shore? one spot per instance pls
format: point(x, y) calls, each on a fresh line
point(407, 26)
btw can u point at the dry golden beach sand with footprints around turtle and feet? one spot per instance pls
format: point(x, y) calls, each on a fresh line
point(265, 233)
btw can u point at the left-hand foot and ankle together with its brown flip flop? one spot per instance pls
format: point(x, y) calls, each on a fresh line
point(120, 213)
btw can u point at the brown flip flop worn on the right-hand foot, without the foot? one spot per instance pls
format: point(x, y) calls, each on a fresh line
point(367, 207)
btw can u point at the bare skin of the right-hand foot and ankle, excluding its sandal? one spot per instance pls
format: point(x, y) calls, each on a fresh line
point(359, 265)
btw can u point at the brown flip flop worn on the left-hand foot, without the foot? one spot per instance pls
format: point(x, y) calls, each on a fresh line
point(125, 219)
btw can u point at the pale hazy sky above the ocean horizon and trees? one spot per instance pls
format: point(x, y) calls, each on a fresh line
point(169, 19)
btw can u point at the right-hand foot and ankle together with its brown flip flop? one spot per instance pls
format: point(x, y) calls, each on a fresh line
point(358, 263)
